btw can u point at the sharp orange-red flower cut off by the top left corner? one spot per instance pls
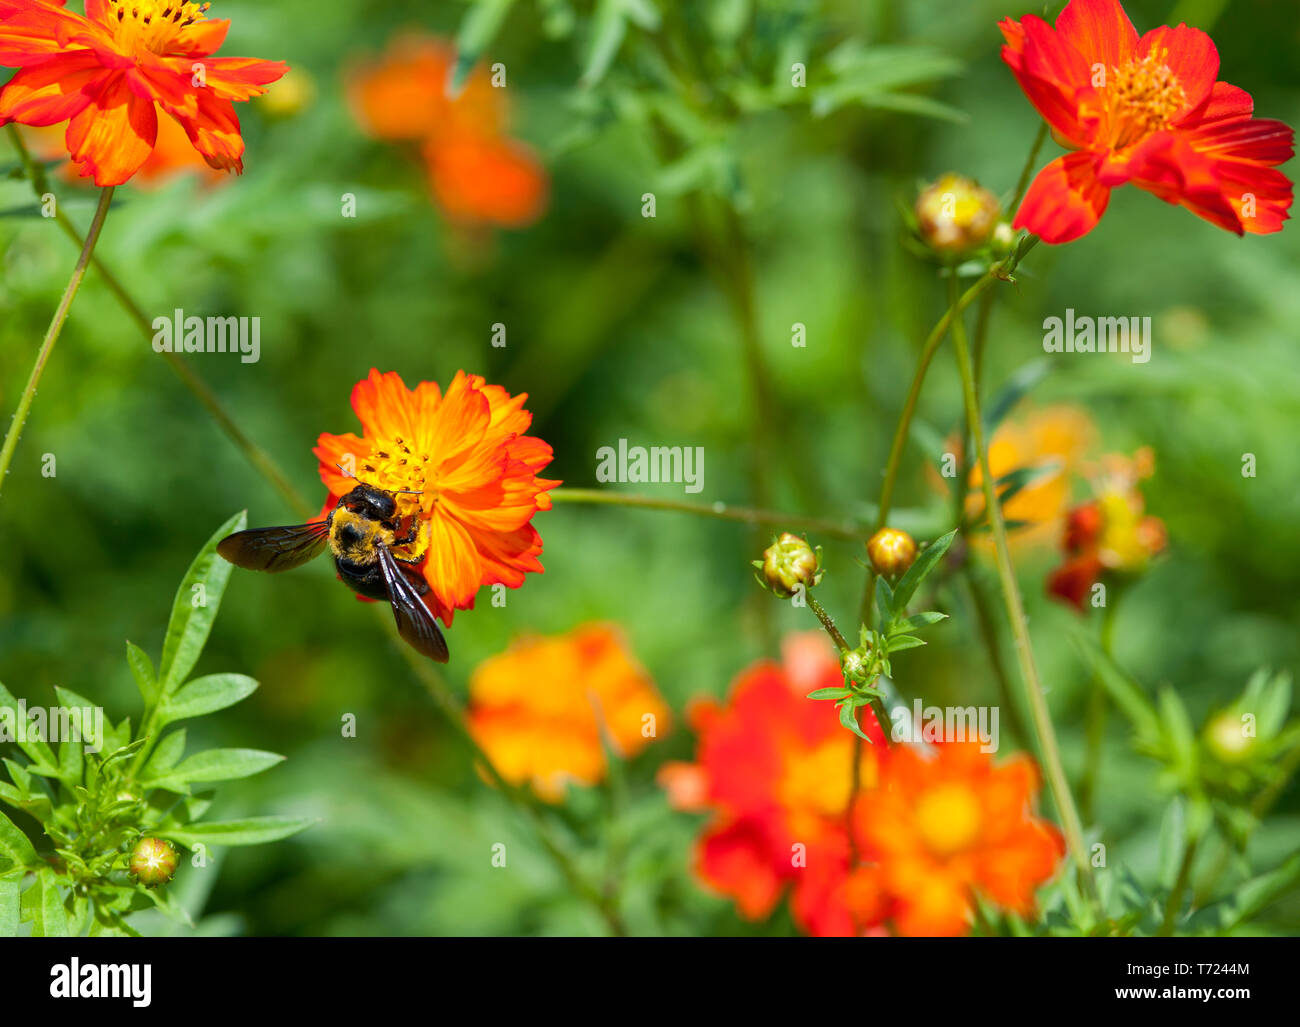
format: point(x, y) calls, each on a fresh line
point(107, 75)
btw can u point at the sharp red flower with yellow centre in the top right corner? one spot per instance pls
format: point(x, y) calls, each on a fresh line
point(1143, 110)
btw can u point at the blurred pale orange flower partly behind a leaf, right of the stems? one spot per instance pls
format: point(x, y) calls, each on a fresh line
point(1051, 440)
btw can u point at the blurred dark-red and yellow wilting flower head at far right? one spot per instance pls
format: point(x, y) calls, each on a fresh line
point(1111, 532)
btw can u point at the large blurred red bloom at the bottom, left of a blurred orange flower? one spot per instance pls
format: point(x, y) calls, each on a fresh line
point(775, 770)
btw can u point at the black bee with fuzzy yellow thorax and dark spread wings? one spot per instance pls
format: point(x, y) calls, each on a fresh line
point(361, 534)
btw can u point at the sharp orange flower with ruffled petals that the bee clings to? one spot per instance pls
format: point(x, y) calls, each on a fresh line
point(471, 467)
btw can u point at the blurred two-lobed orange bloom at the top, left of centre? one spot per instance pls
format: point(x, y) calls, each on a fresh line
point(478, 174)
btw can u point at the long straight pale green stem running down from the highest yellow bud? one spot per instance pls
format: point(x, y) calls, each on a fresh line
point(1051, 753)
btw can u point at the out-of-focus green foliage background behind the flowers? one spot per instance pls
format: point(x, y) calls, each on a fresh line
point(618, 328)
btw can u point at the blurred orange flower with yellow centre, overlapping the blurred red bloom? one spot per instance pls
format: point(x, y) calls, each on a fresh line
point(946, 824)
